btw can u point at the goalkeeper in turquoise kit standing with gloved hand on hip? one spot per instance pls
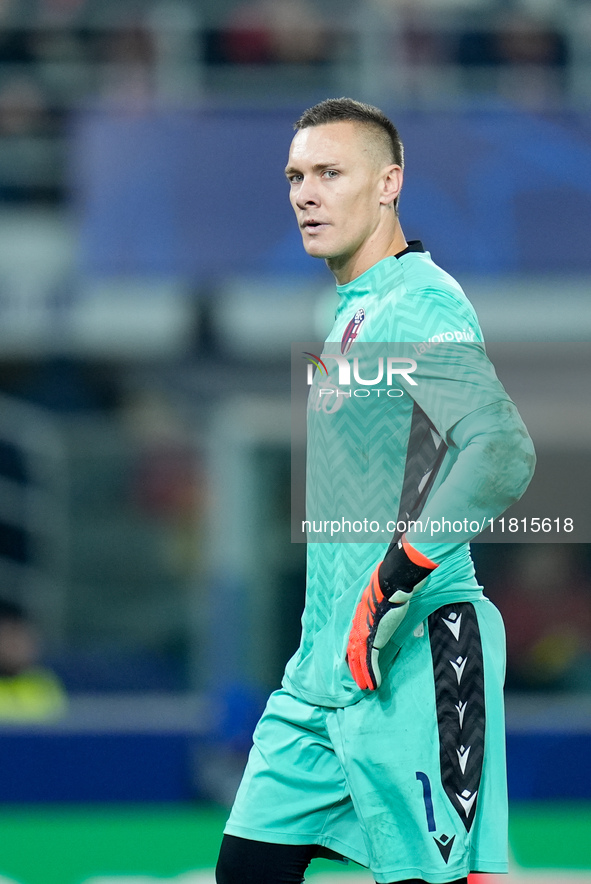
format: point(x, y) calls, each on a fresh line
point(385, 744)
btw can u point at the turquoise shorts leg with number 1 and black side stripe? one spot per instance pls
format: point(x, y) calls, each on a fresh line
point(424, 755)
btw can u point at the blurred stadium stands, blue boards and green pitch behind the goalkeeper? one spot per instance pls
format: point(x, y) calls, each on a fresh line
point(151, 281)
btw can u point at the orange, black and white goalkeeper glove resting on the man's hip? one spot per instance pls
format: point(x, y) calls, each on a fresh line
point(381, 610)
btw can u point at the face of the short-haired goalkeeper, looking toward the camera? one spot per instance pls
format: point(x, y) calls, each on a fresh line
point(335, 182)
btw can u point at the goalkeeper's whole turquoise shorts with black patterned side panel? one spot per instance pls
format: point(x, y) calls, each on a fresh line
point(410, 781)
